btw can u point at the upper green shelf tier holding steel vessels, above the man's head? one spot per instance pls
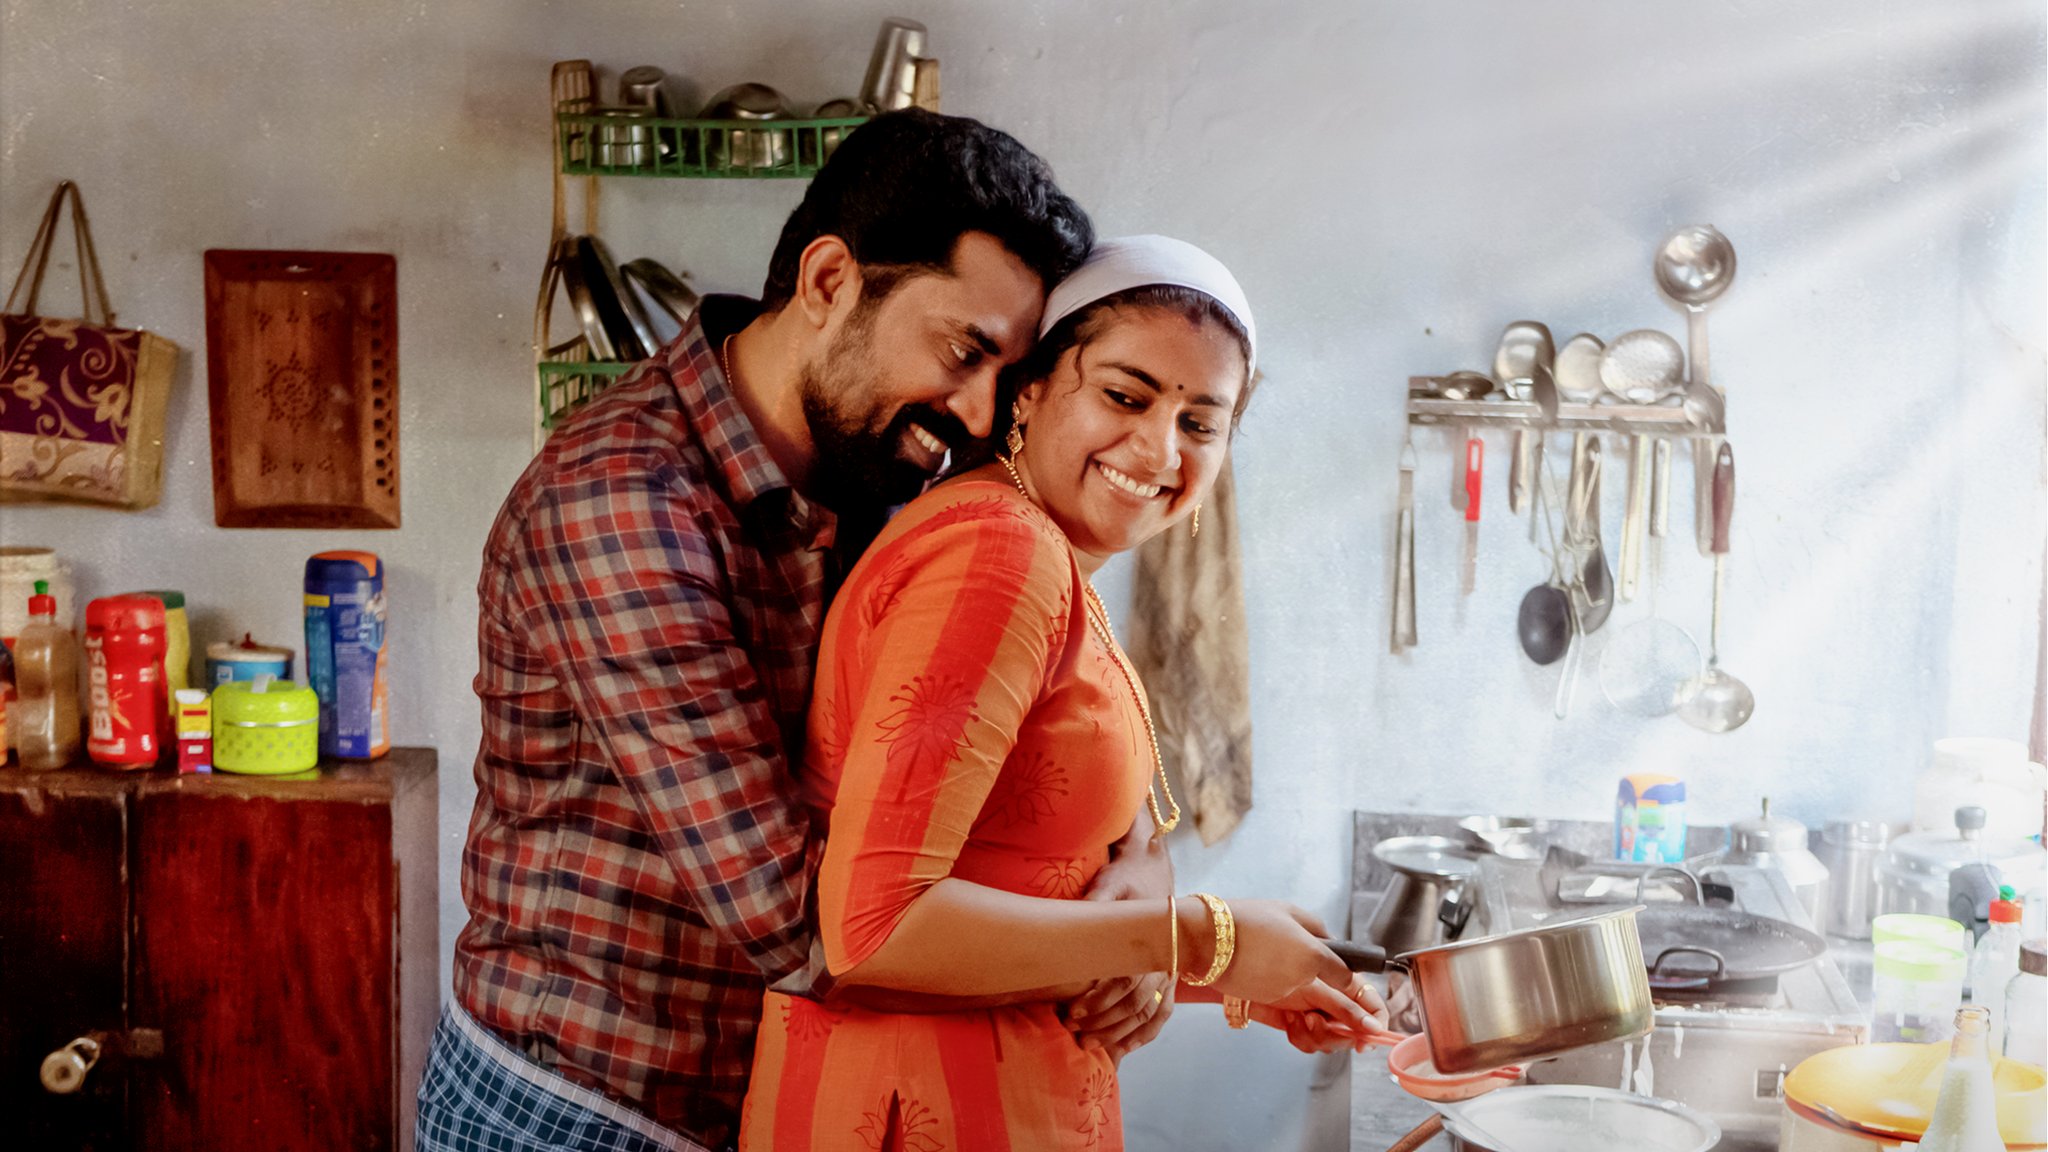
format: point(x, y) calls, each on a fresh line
point(624, 142)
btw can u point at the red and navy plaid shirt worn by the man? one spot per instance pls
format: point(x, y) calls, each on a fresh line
point(640, 858)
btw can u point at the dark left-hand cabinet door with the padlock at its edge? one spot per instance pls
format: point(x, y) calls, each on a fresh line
point(62, 958)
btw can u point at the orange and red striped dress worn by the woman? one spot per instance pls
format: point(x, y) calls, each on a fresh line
point(966, 725)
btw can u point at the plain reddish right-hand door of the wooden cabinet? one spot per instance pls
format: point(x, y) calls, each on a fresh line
point(265, 952)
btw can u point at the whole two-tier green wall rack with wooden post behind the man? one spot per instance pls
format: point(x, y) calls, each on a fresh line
point(566, 376)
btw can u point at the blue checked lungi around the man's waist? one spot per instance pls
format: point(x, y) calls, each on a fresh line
point(478, 1096)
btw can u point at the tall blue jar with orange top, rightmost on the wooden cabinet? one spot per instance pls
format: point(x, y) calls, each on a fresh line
point(345, 653)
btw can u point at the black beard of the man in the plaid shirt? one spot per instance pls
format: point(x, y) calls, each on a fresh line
point(859, 464)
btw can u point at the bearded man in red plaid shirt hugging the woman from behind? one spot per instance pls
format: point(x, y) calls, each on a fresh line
point(652, 593)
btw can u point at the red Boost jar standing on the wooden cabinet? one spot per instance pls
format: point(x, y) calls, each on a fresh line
point(126, 688)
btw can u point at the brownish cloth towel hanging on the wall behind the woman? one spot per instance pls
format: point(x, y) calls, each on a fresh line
point(1191, 647)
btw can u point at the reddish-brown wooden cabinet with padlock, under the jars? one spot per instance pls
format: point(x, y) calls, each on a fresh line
point(257, 958)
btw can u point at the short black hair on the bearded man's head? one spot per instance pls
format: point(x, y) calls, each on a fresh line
point(902, 192)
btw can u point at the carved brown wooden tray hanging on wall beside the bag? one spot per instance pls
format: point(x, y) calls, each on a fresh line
point(302, 382)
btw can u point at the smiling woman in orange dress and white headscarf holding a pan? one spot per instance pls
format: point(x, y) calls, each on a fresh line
point(980, 741)
